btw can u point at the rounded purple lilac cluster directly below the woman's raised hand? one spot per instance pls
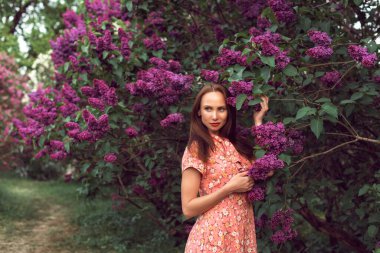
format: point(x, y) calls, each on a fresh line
point(271, 137)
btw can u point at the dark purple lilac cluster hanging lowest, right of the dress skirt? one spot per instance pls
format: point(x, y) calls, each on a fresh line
point(284, 220)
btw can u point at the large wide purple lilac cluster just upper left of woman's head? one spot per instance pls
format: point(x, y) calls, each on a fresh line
point(161, 82)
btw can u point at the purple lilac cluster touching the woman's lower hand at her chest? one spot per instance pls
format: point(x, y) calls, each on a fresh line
point(262, 166)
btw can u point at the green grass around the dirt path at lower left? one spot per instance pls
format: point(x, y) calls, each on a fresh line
point(97, 227)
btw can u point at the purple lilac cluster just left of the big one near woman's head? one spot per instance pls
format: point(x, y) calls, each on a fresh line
point(100, 95)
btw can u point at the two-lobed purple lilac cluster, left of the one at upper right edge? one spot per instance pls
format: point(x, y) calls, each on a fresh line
point(322, 48)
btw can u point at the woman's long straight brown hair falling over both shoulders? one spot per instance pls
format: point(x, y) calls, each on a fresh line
point(199, 134)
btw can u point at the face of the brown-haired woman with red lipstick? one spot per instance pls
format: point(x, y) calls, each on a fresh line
point(213, 111)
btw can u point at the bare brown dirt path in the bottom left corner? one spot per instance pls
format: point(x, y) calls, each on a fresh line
point(46, 235)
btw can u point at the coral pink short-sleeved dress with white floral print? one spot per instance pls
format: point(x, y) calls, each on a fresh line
point(229, 226)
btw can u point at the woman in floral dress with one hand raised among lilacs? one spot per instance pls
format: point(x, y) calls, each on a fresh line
point(216, 164)
